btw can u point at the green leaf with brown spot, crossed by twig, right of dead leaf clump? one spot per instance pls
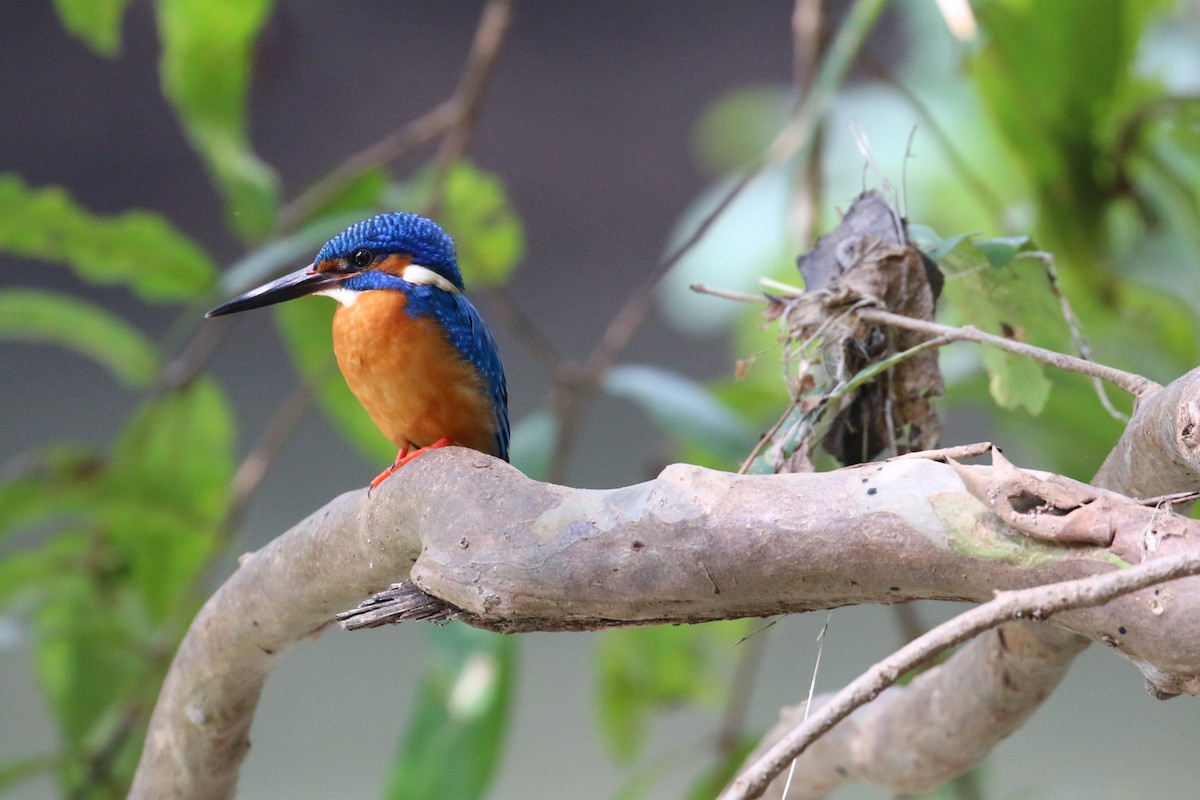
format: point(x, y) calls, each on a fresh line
point(1003, 291)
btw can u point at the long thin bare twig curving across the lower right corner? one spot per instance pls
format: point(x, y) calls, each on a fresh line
point(1039, 603)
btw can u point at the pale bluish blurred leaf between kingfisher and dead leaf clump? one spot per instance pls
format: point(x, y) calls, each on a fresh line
point(683, 408)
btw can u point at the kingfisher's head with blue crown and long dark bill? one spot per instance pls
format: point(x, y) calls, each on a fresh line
point(392, 251)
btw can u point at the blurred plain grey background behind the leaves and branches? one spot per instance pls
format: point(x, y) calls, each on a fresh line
point(589, 122)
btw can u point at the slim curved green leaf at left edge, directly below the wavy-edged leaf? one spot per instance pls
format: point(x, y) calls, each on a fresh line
point(49, 317)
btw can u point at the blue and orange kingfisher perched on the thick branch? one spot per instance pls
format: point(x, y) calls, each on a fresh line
point(412, 348)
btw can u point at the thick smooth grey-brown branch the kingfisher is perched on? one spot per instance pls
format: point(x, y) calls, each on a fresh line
point(691, 546)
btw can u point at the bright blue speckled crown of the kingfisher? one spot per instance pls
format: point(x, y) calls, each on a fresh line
point(399, 233)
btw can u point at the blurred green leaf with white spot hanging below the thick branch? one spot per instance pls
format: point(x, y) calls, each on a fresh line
point(458, 730)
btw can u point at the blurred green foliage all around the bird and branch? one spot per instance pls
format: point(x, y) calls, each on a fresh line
point(1047, 125)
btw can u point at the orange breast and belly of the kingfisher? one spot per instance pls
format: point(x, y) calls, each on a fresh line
point(412, 382)
